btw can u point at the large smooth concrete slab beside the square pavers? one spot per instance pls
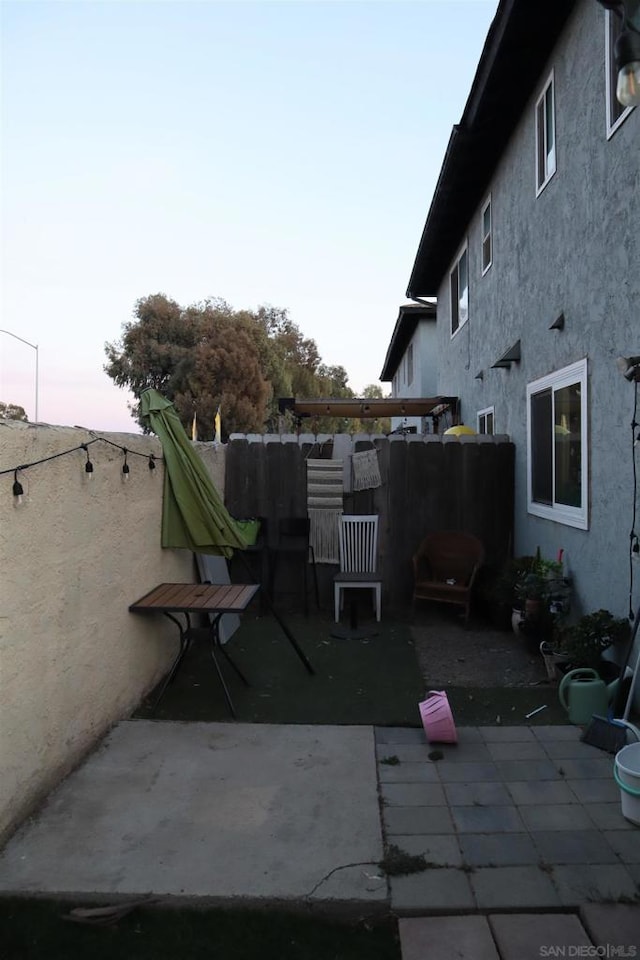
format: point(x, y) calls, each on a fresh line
point(212, 810)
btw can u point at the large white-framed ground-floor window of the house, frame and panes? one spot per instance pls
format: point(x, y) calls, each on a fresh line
point(557, 447)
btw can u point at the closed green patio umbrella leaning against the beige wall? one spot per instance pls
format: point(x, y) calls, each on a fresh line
point(193, 514)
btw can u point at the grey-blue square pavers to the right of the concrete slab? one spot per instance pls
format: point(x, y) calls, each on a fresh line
point(511, 818)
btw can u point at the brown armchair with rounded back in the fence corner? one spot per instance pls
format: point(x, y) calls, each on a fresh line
point(445, 567)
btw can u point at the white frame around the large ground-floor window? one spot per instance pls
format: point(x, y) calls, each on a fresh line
point(560, 512)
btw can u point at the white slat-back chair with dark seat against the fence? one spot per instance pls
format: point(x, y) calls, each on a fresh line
point(358, 544)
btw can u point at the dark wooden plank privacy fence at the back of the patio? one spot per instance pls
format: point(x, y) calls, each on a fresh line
point(426, 483)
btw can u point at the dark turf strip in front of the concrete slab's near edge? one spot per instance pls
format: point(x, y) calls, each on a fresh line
point(36, 930)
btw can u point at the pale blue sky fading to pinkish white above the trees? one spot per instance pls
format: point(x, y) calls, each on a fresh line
point(283, 153)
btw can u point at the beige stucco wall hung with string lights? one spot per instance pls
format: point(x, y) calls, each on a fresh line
point(73, 556)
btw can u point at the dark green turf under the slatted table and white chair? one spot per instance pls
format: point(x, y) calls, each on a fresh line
point(376, 680)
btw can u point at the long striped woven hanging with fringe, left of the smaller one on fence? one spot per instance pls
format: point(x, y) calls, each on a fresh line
point(324, 506)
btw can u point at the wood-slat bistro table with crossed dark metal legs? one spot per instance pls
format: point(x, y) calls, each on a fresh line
point(198, 598)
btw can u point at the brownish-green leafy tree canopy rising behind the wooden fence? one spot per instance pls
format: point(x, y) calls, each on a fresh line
point(208, 356)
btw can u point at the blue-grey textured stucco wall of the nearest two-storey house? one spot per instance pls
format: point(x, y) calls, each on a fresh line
point(573, 250)
